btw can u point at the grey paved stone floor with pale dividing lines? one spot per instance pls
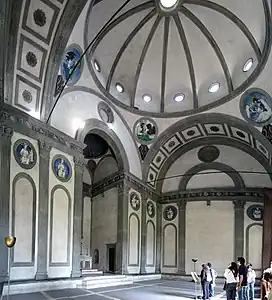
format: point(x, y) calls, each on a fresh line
point(149, 290)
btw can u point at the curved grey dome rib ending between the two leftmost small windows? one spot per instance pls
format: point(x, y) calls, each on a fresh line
point(130, 37)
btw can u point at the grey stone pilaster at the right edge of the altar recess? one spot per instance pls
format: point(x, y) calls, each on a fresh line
point(122, 229)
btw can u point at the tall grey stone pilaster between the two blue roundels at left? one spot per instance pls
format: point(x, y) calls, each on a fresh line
point(44, 167)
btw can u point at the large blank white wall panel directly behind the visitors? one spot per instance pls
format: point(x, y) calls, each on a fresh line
point(209, 234)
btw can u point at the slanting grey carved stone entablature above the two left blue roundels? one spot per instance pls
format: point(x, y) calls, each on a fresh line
point(23, 123)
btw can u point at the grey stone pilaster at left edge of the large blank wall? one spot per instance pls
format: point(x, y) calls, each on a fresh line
point(181, 236)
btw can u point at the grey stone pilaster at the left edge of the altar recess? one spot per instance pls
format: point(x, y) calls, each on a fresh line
point(78, 199)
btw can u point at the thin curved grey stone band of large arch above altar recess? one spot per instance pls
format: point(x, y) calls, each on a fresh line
point(97, 94)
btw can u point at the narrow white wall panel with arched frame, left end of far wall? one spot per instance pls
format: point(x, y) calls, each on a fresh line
point(169, 244)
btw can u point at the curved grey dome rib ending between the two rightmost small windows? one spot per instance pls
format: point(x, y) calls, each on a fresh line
point(213, 44)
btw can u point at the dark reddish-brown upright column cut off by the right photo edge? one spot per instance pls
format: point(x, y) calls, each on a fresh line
point(267, 231)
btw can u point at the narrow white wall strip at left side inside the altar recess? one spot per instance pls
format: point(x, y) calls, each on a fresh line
point(86, 242)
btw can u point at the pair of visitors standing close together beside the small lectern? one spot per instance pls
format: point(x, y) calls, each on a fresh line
point(208, 276)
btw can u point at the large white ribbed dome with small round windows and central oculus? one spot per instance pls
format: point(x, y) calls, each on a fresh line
point(174, 57)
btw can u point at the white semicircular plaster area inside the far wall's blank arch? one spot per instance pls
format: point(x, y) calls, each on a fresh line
point(207, 180)
